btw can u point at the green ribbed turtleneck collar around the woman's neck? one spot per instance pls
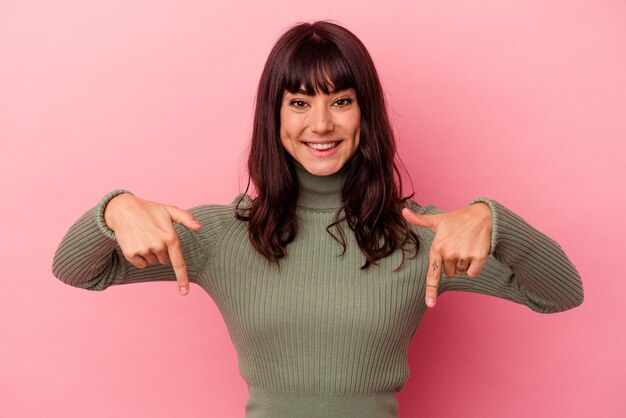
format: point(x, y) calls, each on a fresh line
point(319, 192)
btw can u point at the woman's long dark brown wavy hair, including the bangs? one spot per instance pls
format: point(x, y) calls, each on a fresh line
point(325, 57)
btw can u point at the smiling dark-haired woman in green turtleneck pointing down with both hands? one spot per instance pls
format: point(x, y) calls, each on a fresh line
point(321, 280)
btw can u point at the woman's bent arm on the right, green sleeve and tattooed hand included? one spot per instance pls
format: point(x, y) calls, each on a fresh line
point(486, 248)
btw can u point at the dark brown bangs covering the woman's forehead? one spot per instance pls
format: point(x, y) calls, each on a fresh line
point(318, 66)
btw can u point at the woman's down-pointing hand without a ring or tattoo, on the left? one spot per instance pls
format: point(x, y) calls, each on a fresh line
point(145, 233)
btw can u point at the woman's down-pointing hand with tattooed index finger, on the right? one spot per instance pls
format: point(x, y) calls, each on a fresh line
point(461, 244)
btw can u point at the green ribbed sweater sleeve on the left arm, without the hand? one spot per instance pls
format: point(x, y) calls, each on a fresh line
point(89, 257)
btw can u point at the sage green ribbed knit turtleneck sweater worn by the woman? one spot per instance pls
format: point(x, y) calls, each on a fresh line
point(317, 336)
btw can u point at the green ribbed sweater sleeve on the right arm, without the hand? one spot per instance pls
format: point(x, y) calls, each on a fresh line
point(524, 265)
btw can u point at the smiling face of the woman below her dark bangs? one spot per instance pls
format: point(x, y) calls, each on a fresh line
point(321, 132)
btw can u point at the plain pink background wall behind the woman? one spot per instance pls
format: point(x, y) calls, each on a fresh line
point(521, 101)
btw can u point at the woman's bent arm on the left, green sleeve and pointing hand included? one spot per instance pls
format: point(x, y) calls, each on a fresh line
point(125, 239)
